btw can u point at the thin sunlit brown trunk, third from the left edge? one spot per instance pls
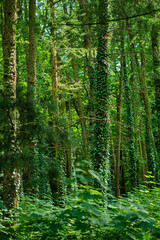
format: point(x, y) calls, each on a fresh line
point(58, 191)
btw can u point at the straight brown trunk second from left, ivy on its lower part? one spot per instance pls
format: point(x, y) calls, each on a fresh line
point(31, 173)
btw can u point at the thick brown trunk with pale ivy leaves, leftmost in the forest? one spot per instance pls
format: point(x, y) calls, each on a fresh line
point(10, 180)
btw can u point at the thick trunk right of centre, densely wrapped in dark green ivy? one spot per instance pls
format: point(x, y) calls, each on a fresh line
point(101, 135)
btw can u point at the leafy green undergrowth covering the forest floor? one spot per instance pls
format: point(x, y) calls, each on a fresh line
point(85, 216)
